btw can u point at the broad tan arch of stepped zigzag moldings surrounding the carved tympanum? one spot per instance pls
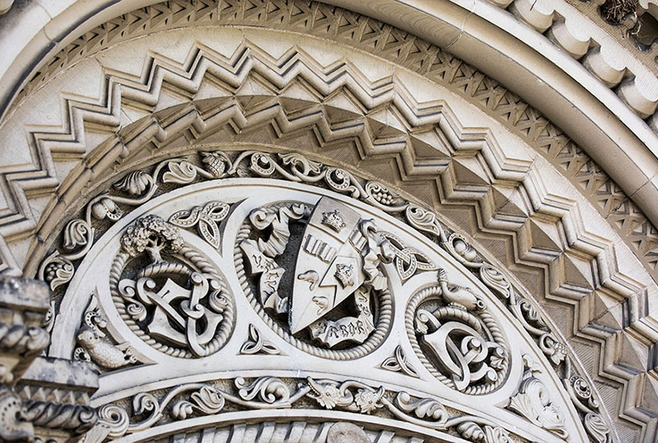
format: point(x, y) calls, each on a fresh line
point(566, 232)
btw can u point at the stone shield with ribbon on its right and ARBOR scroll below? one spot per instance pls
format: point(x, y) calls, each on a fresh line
point(340, 252)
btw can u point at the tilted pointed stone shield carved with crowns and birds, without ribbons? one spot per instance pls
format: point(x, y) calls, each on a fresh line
point(329, 266)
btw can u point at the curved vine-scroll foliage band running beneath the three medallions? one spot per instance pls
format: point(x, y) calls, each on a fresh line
point(267, 392)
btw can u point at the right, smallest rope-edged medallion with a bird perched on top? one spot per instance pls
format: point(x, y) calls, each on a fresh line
point(457, 338)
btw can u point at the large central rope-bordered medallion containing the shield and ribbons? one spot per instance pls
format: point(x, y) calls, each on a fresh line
point(315, 275)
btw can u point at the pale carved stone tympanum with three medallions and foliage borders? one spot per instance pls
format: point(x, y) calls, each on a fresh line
point(331, 299)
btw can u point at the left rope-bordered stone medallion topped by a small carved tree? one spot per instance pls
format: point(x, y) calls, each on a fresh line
point(169, 293)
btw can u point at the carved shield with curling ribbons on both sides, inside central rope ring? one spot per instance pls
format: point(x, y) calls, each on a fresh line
point(339, 256)
